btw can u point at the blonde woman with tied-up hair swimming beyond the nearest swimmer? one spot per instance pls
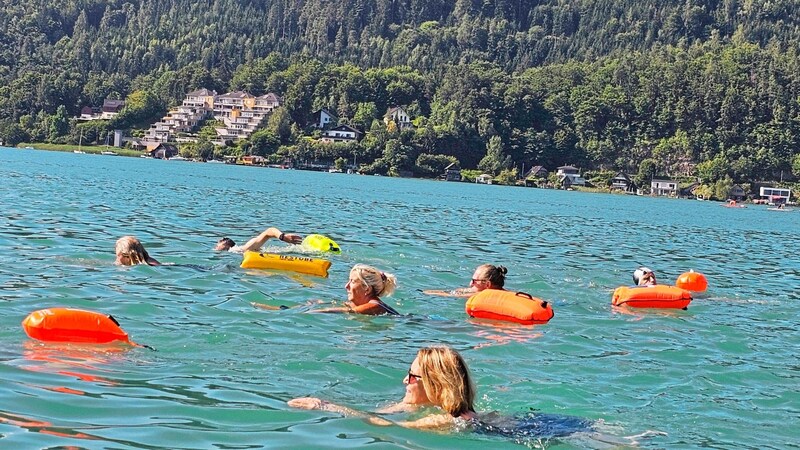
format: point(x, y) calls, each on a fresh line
point(364, 288)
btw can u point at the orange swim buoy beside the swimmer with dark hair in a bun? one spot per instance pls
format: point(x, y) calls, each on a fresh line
point(509, 306)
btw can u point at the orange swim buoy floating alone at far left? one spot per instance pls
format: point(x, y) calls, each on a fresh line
point(73, 325)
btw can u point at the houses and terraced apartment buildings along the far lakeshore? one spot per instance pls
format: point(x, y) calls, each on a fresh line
point(237, 115)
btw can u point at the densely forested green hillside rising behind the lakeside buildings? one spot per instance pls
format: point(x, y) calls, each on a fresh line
point(503, 83)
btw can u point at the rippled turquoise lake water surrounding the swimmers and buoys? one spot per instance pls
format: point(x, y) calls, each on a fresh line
point(723, 374)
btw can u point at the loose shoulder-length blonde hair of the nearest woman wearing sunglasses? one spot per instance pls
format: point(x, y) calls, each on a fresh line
point(446, 379)
